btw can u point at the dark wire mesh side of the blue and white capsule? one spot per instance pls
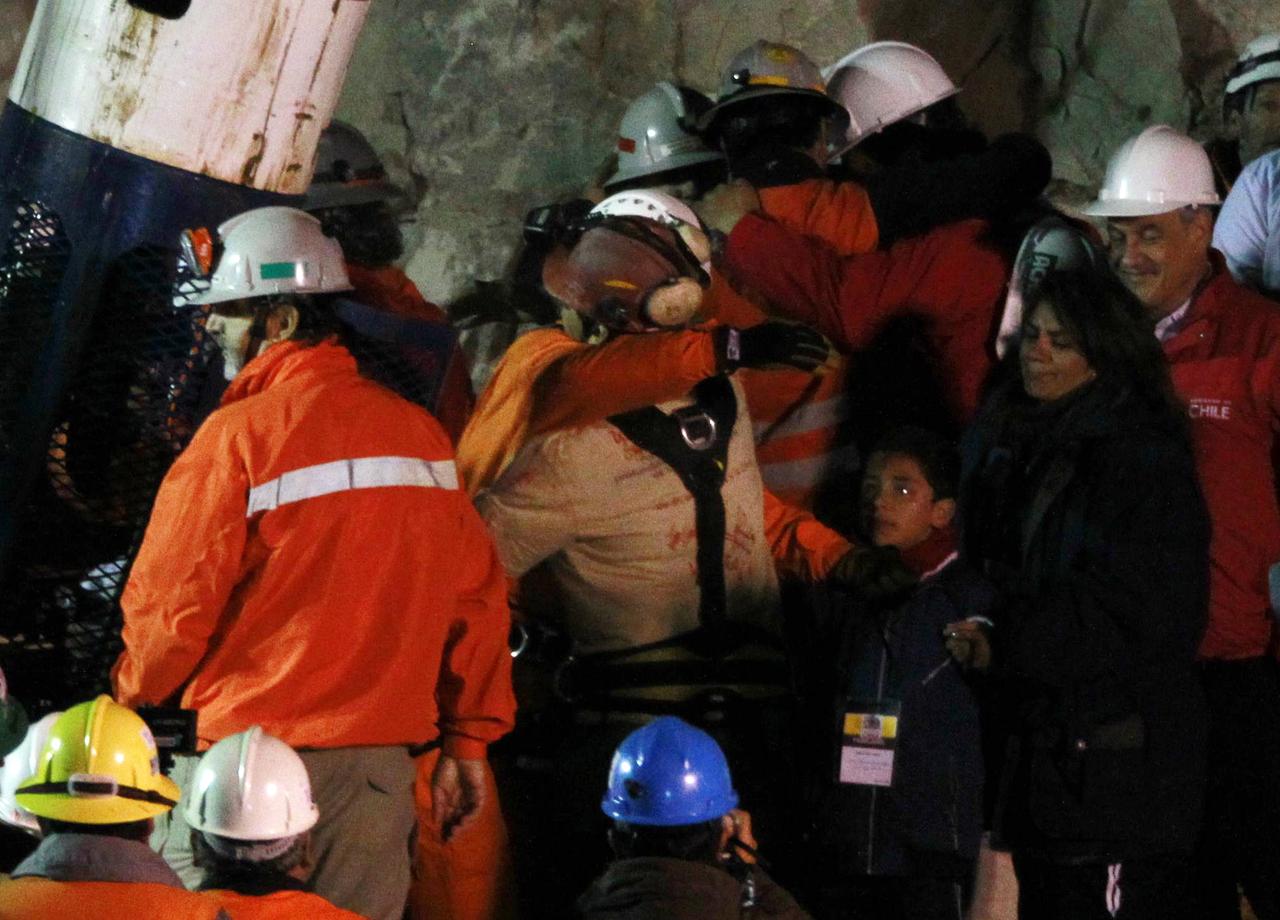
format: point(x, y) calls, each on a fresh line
point(129, 410)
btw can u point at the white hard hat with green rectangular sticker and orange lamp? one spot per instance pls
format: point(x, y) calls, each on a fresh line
point(273, 251)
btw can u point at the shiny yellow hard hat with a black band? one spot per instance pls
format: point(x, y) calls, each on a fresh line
point(100, 766)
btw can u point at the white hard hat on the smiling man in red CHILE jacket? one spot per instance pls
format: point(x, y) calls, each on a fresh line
point(1156, 172)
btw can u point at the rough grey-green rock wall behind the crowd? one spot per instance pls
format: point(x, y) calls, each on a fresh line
point(486, 108)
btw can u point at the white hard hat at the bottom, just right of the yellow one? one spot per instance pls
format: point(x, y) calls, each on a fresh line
point(252, 786)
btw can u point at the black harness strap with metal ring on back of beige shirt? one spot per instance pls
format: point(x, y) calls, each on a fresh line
point(696, 446)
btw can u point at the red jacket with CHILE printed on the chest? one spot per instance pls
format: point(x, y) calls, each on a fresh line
point(1226, 361)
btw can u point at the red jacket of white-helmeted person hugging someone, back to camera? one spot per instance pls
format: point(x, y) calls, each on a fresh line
point(948, 278)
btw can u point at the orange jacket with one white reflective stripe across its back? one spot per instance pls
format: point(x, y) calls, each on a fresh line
point(314, 566)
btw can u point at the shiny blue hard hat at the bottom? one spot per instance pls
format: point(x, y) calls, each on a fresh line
point(666, 775)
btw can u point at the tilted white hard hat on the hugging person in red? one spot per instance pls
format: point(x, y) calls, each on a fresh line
point(883, 84)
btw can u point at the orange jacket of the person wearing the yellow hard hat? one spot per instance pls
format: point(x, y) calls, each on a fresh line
point(39, 899)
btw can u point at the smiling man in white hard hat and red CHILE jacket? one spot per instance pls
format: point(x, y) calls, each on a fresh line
point(1223, 344)
